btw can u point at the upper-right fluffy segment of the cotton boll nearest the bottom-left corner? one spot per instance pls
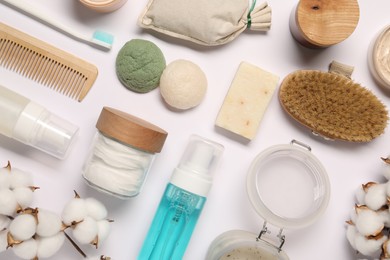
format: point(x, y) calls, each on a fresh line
point(49, 223)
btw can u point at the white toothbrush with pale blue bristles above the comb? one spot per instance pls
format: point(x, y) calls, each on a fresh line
point(99, 39)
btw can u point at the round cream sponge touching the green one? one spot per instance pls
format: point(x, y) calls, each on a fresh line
point(183, 84)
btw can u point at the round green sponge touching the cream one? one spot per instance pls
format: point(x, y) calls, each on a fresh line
point(139, 65)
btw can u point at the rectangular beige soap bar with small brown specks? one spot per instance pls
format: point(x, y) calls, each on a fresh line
point(247, 100)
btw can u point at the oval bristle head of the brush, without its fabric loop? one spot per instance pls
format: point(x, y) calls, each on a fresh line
point(333, 106)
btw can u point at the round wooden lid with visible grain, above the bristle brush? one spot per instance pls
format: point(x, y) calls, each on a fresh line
point(322, 23)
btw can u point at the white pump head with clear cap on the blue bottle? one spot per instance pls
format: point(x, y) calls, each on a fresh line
point(199, 161)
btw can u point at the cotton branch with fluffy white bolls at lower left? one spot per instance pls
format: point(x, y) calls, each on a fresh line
point(36, 233)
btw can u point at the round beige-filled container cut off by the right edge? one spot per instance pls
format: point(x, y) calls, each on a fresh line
point(378, 58)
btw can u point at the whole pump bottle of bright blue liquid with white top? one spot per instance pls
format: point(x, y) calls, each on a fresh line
point(182, 202)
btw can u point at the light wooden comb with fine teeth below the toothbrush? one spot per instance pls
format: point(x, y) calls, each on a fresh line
point(45, 63)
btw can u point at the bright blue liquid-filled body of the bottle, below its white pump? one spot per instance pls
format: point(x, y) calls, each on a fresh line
point(173, 225)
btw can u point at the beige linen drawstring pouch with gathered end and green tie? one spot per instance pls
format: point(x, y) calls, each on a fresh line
point(205, 22)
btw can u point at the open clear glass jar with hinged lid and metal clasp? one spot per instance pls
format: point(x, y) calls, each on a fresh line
point(289, 188)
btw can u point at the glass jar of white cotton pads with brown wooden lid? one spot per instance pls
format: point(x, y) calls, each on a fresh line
point(122, 153)
